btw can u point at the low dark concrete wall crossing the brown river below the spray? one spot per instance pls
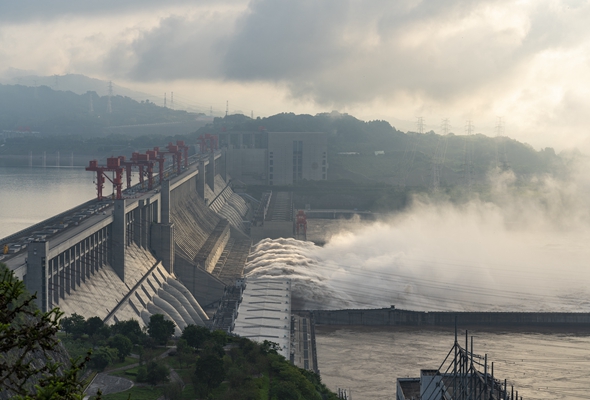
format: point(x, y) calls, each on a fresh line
point(395, 317)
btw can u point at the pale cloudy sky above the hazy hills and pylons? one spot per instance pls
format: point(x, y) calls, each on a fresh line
point(526, 62)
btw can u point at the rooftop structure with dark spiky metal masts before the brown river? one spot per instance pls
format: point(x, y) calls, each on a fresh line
point(463, 375)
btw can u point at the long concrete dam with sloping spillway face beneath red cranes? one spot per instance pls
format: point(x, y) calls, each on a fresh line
point(171, 250)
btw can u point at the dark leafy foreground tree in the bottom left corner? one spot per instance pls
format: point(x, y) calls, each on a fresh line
point(26, 334)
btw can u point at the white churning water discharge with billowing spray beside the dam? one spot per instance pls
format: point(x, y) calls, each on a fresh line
point(521, 252)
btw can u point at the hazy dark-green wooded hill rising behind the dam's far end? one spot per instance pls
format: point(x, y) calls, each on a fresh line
point(404, 159)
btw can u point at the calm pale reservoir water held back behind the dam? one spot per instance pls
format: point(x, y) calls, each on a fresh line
point(29, 194)
